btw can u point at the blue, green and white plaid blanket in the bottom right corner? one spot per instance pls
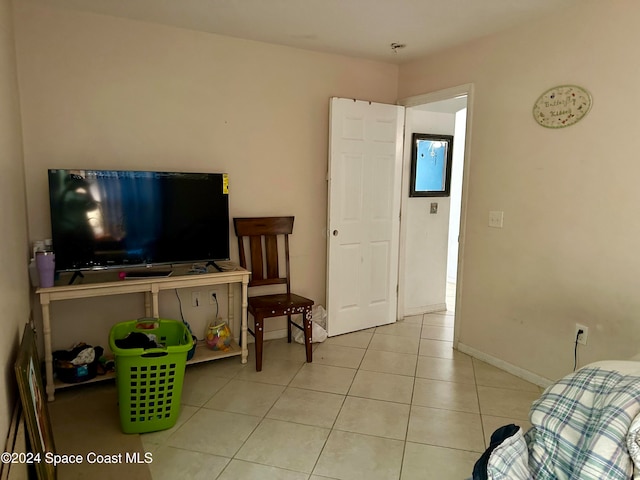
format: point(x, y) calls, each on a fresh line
point(580, 429)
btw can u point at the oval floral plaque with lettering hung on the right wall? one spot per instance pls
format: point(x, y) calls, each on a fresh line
point(562, 106)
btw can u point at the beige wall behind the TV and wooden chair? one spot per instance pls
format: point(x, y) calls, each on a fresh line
point(103, 92)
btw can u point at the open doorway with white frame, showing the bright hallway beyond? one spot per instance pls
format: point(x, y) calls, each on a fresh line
point(431, 235)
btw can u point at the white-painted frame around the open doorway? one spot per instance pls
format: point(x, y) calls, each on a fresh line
point(414, 101)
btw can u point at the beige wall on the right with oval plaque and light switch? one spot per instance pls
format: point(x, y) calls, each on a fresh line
point(568, 249)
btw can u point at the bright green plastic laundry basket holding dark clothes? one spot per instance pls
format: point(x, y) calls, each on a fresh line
point(150, 381)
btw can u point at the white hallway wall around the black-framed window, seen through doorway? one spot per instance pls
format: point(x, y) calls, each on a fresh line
point(425, 235)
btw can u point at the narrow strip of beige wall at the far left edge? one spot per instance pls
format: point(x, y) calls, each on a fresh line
point(14, 286)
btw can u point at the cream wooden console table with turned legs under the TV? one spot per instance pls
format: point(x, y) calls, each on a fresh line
point(97, 284)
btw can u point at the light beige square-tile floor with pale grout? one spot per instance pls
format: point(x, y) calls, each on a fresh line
point(393, 402)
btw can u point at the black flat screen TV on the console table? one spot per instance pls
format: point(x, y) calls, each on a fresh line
point(113, 218)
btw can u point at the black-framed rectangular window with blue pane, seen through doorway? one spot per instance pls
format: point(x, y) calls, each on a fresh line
point(431, 157)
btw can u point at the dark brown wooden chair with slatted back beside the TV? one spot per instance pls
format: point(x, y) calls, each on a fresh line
point(263, 234)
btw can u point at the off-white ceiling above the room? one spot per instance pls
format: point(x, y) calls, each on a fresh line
point(359, 28)
